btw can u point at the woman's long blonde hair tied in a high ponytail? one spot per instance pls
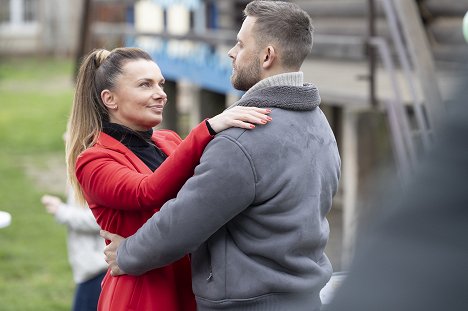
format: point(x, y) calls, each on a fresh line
point(99, 71)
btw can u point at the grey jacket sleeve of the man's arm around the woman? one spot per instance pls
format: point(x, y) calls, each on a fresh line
point(222, 187)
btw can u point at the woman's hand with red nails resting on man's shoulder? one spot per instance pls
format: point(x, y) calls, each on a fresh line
point(238, 116)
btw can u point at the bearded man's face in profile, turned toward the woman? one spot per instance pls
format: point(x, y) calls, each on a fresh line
point(246, 63)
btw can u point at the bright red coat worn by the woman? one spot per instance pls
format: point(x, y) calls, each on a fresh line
point(123, 193)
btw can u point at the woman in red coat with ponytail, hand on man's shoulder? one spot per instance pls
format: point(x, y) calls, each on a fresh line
point(121, 167)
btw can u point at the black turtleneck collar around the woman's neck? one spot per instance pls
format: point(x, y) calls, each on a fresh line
point(127, 136)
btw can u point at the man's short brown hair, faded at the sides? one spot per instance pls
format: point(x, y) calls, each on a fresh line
point(285, 25)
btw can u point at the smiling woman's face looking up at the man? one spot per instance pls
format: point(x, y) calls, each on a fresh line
point(138, 98)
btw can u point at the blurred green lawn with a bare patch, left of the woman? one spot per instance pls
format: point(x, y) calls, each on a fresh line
point(35, 98)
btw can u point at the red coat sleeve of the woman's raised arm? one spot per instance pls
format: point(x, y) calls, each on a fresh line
point(109, 179)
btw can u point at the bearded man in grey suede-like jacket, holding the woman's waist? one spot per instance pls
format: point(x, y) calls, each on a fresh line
point(253, 214)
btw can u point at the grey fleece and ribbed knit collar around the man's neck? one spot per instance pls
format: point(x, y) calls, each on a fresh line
point(285, 91)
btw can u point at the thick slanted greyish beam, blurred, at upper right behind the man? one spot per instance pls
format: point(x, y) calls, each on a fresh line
point(421, 56)
